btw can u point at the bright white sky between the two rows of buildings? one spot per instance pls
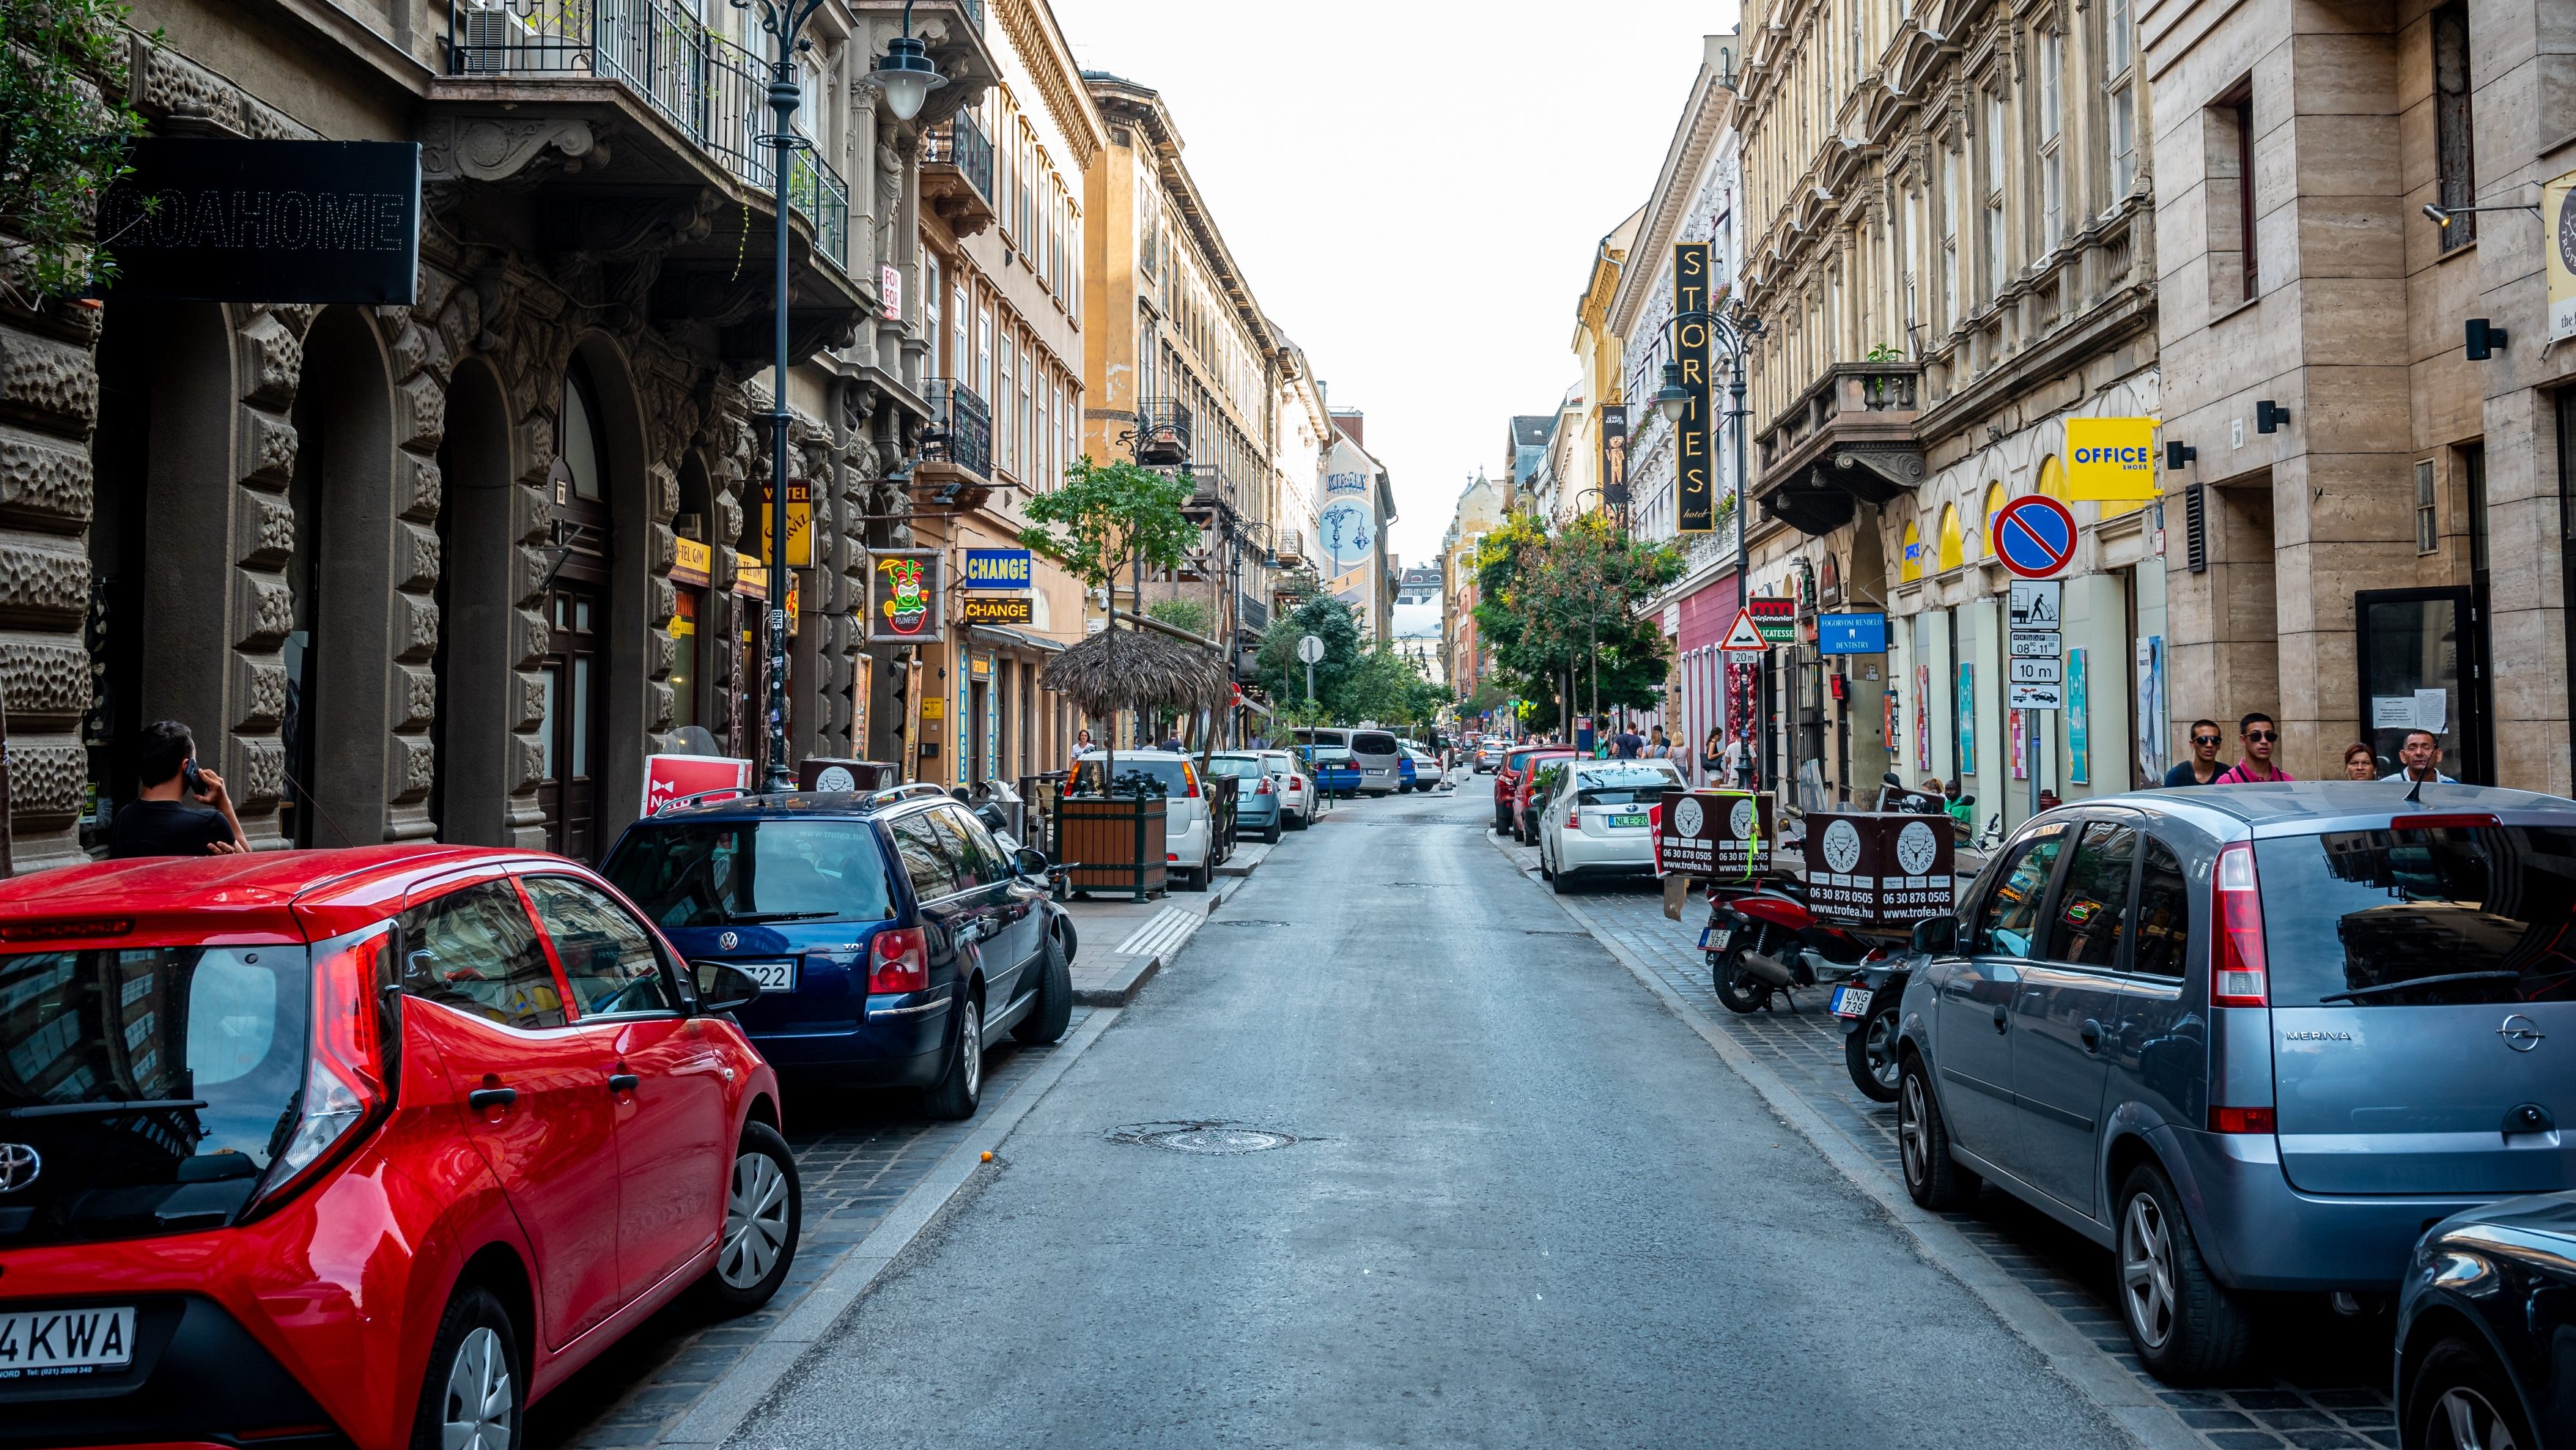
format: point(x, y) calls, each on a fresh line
point(1416, 189)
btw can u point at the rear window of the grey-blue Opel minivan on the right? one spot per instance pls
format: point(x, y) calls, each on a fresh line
point(2402, 918)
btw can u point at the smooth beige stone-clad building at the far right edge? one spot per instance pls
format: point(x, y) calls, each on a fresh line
point(2371, 527)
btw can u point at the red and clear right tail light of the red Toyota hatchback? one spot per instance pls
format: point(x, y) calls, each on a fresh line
point(349, 1065)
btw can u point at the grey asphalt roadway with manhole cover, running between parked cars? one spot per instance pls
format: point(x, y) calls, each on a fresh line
point(1524, 1207)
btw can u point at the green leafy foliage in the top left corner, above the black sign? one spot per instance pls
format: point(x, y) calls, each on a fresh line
point(63, 143)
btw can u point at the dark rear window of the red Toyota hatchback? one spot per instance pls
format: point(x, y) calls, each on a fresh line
point(156, 1083)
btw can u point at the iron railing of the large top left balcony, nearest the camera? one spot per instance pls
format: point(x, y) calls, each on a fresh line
point(702, 84)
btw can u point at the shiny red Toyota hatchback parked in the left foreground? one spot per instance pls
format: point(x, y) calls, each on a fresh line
point(357, 1147)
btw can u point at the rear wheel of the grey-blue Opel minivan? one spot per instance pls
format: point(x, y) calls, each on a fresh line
point(2186, 1325)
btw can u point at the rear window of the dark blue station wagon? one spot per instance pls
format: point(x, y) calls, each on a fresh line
point(707, 874)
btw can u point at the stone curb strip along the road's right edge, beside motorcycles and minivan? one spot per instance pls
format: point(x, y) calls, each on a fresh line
point(2026, 1315)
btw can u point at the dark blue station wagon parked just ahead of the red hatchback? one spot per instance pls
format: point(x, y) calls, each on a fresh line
point(893, 939)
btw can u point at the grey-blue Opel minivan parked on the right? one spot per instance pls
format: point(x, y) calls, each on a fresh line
point(2253, 1037)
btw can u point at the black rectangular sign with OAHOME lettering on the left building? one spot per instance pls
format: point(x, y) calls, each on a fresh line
point(213, 220)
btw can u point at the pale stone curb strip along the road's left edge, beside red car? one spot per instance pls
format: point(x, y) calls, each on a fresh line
point(813, 1323)
